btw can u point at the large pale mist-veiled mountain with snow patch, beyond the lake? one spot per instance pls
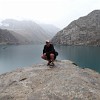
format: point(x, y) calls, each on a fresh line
point(30, 31)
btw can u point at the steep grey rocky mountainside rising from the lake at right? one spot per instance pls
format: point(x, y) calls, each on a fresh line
point(83, 31)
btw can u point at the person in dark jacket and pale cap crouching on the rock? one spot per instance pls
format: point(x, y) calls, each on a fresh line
point(49, 53)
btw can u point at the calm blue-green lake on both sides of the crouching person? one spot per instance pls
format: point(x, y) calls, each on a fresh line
point(16, 56)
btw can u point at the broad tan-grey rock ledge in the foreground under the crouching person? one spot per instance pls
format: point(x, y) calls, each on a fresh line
point(66, 81)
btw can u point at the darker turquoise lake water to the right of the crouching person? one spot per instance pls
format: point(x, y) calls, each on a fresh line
point(85, 57)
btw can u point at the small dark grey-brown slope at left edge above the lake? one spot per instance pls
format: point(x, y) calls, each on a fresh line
point(8, 37)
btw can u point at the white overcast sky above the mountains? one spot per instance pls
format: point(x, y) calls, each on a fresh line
point(57, 12)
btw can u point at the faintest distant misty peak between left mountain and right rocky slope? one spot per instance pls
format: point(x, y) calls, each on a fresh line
point(50, 29)
